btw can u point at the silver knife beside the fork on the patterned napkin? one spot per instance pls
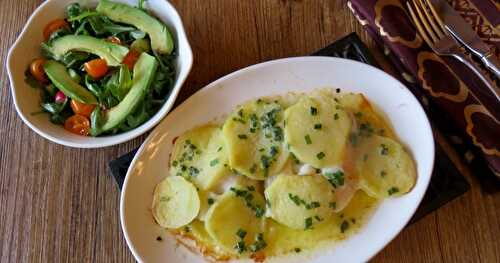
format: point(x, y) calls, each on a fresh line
point(463, 32)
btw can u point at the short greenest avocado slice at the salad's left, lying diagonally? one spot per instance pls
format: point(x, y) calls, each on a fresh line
point(58, 74)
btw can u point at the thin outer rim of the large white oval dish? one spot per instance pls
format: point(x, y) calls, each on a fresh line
point(214, 84)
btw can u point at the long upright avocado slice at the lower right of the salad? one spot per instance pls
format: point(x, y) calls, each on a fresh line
point(144, 72)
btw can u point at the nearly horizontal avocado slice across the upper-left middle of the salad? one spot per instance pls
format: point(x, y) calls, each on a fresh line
point(112, 53)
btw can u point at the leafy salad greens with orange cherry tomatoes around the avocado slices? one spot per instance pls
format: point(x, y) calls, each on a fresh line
point(113, 83)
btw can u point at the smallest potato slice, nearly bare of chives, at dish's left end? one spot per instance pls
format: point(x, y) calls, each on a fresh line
point(175, 202)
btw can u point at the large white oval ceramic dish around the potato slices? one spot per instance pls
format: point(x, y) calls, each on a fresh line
point(278, 77)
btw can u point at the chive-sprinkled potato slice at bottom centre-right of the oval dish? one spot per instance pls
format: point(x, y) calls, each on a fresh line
point(300, 202)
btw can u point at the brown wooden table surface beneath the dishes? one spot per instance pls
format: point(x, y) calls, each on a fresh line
point(59, 204)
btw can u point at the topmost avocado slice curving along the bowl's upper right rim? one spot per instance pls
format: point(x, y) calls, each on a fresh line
point(161, 39)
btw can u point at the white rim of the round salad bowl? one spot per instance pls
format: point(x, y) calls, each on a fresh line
point(112, 140)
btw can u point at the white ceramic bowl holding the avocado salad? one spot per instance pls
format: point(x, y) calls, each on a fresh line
point(27, 47)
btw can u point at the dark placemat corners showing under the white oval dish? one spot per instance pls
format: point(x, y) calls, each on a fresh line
point(447, 182)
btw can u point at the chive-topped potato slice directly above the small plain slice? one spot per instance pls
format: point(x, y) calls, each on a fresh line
point(200, 156)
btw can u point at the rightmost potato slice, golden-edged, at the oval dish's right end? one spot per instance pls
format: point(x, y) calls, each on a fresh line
point(385, 168)
